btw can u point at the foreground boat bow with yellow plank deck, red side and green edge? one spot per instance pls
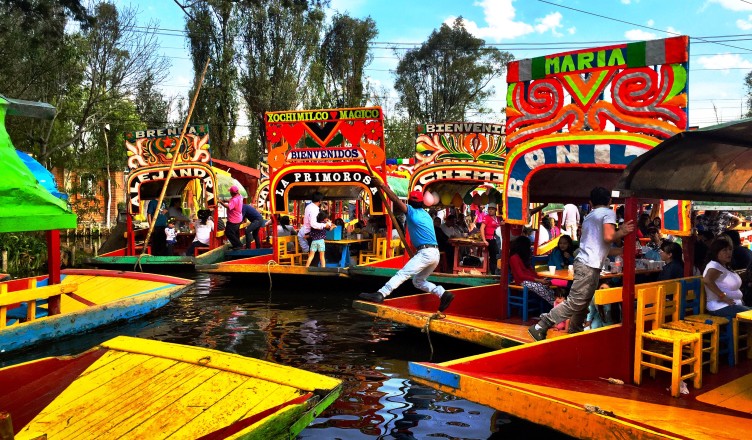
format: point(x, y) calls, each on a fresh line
point(137, 388)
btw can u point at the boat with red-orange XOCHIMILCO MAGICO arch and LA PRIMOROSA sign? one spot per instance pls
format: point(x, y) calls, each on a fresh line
point(330, 151)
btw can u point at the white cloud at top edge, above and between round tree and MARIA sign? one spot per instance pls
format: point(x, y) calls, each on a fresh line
point(499, 16)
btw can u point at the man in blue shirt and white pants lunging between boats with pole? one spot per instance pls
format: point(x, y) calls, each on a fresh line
point(423, 237)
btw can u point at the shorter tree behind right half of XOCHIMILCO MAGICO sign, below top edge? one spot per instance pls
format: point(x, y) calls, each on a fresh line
point(343, 55)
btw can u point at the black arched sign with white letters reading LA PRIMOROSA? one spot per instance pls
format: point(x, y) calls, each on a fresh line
point(325, 178)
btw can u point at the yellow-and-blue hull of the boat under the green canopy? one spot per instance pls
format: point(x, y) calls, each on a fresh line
point(87, 299)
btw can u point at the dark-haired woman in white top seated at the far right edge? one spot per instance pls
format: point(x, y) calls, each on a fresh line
point(722, 285)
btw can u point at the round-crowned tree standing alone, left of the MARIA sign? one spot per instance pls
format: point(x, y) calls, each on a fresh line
point(448, 75)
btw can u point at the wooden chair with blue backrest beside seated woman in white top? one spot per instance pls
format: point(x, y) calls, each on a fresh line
point(692, 299)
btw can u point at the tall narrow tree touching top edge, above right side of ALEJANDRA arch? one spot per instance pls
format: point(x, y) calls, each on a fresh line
point(213, 28)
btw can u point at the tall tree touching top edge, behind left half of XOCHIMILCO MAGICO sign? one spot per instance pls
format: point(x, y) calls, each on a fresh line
point(279, 43)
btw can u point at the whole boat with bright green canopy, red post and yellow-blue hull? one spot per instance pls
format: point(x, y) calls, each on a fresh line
point(73, 301)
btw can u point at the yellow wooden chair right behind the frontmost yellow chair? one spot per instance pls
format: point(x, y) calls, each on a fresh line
point(673, 322)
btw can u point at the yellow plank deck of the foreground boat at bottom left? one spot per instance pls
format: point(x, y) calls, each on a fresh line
point(141, 396)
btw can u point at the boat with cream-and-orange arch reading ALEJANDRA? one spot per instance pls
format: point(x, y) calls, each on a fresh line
point(194, 180)
